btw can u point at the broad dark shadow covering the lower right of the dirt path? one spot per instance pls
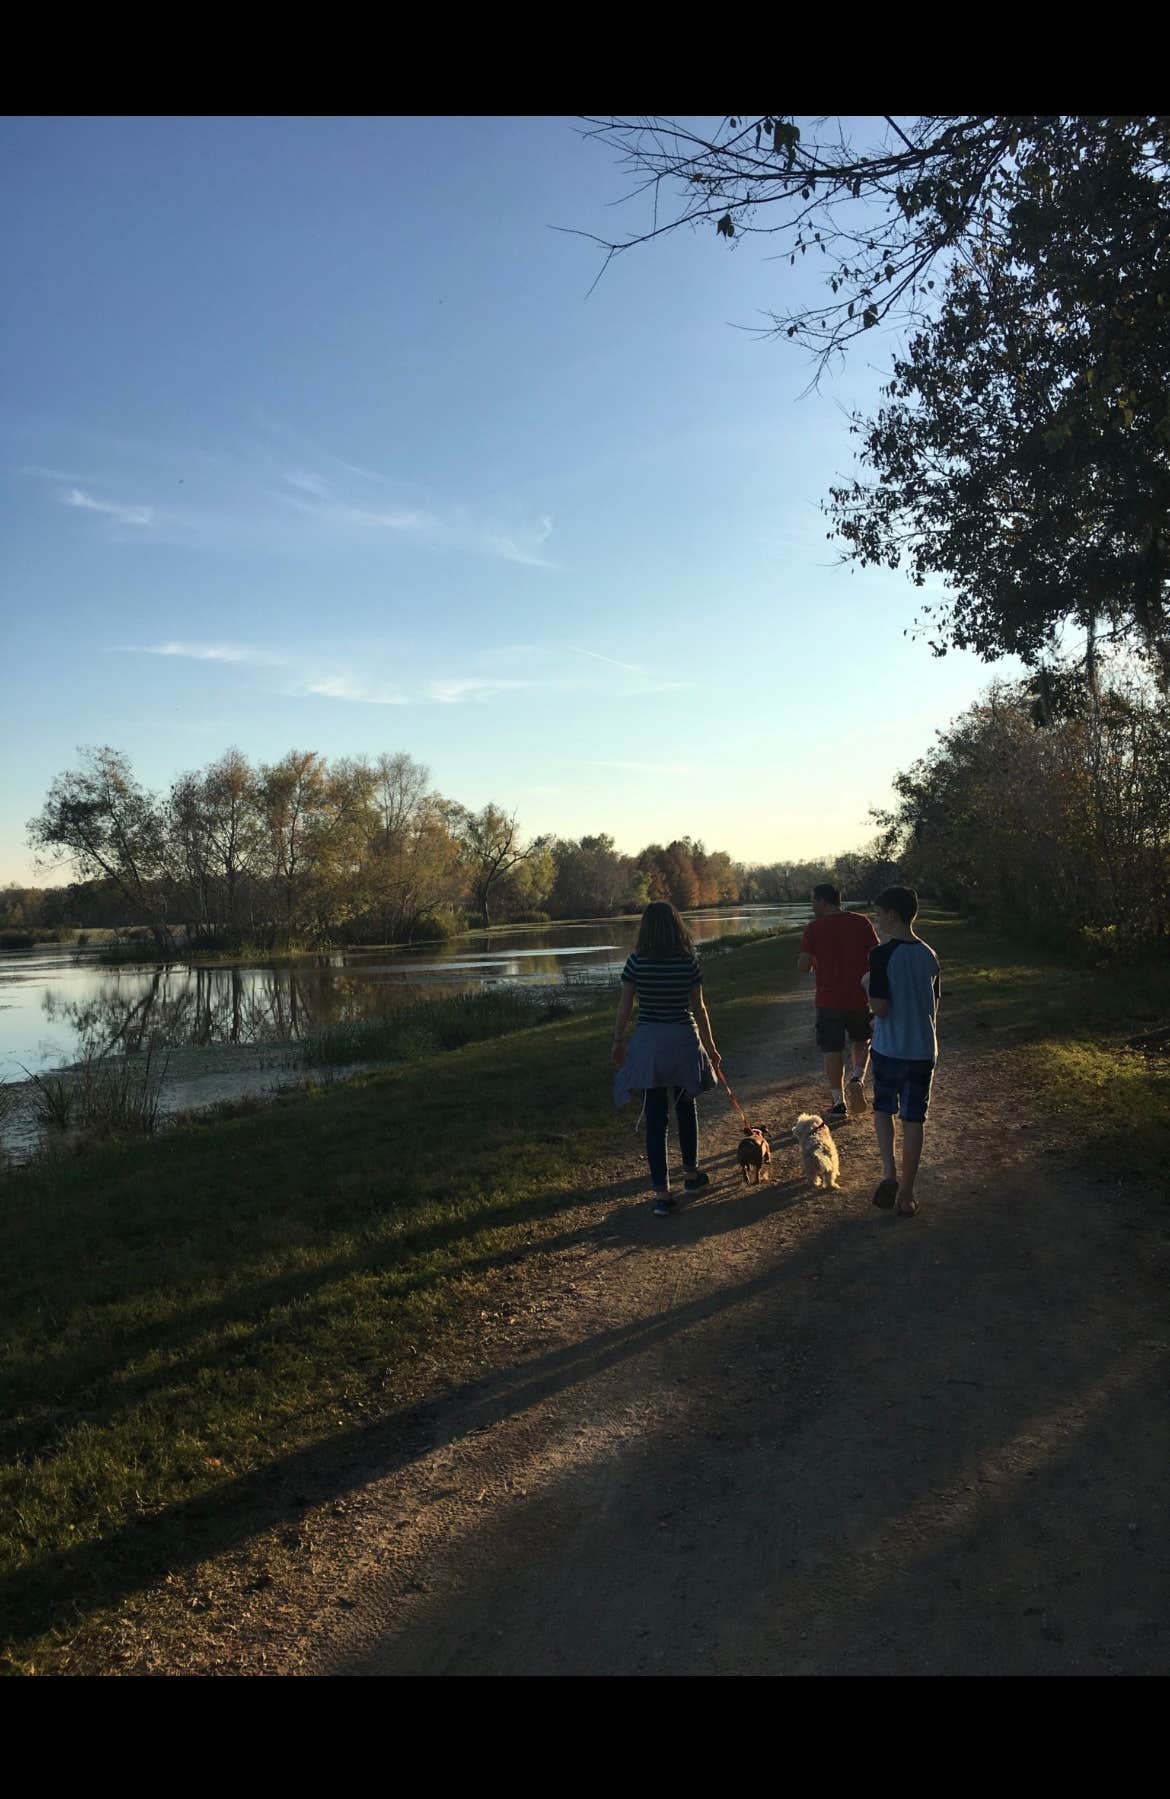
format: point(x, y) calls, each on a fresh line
point(933, 1447)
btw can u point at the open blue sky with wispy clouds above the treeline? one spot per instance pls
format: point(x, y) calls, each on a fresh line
point(312, 436)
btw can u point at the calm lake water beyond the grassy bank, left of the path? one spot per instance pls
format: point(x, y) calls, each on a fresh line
point(57, 1001)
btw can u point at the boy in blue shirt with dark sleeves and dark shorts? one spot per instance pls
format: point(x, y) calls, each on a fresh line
point(904, 990)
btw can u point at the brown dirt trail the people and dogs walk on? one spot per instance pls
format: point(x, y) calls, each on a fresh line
point(780, 1433)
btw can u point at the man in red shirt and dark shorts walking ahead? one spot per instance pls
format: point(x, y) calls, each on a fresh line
point(838, 947)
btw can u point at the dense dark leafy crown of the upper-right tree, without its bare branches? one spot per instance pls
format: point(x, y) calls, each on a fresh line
point(1023, 451)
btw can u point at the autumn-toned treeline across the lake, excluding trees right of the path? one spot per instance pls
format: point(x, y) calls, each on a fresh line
point(314, 852)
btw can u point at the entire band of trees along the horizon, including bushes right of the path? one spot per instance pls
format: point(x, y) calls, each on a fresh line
point(1045, 810)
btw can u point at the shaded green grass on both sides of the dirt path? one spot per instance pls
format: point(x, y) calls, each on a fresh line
point(199, 1329)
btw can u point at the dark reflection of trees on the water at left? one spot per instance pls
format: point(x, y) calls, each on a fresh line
point(246, 1007)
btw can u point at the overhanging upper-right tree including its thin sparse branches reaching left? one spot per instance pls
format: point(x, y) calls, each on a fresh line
point(1021, 456)
